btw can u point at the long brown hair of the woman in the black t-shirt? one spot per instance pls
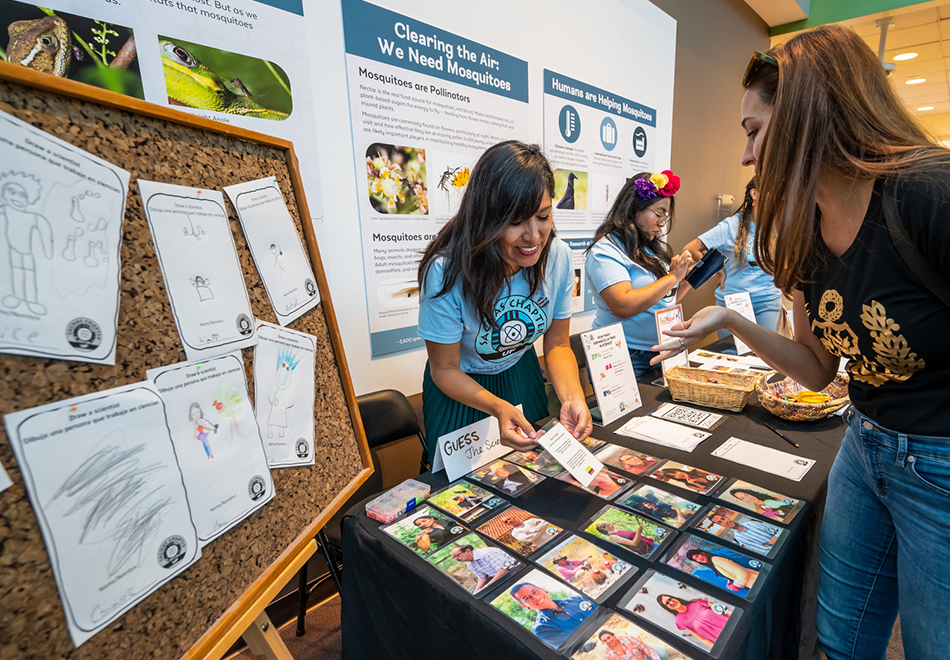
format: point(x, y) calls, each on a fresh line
point(833, 111)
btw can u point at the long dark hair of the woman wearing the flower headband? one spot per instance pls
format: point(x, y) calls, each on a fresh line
point(620, 224)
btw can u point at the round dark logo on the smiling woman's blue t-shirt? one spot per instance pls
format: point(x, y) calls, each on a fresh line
point(520, 321)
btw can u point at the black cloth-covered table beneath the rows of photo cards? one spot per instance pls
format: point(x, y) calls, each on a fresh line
point(396, 605)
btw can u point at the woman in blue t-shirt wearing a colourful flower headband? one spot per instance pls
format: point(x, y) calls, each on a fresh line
point(630, 267)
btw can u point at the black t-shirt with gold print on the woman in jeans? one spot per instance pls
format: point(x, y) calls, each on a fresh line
point(869, 307)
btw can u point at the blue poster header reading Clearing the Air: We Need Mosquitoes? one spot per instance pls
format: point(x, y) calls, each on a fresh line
point(385, 36)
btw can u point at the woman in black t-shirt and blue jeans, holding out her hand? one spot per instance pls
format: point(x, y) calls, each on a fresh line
point(830, 140)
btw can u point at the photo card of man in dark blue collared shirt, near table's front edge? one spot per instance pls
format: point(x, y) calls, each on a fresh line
point(545, 607)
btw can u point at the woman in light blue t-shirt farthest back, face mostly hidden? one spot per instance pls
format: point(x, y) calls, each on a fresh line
point(735, 238)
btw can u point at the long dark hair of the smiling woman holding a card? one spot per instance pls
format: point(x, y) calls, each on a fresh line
point(506, 187)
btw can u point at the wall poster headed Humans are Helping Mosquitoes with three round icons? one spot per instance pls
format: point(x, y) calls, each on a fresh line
point(595, 140)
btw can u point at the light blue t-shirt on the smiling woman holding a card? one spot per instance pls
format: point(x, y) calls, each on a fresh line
point(521, 320)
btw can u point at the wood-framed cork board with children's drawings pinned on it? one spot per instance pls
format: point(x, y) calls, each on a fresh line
point(165, 145)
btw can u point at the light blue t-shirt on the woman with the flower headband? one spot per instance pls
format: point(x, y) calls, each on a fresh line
point(608, 264)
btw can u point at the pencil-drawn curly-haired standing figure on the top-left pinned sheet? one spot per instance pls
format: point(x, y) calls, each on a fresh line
point(17, 193)
